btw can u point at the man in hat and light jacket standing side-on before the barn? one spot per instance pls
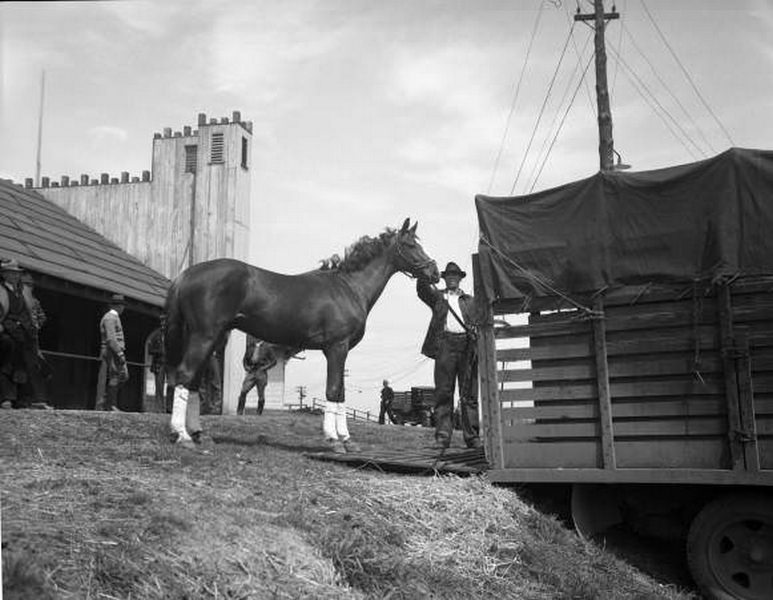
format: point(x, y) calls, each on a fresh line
point(113, 370)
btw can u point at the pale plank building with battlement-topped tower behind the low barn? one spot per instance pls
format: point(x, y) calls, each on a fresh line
point(194, 205)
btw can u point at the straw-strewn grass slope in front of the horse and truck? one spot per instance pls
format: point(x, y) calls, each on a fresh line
point(98, 505)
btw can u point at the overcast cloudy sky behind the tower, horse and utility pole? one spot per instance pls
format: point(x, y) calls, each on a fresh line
point(369, 111)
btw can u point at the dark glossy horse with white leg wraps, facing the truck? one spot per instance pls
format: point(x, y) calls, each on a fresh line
point(324, 309)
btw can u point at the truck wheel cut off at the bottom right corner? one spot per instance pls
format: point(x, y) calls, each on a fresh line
point(730, 547)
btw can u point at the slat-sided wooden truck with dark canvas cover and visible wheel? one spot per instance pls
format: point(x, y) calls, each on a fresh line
point(653, 399)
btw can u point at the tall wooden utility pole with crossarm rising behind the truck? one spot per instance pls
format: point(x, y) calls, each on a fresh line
point(606, 143)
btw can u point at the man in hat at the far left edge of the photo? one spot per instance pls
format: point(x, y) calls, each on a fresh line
point(17, 348)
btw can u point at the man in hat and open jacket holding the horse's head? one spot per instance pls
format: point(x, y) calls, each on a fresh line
point(450, 341)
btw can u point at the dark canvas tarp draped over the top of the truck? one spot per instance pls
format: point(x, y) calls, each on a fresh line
point(702, 220)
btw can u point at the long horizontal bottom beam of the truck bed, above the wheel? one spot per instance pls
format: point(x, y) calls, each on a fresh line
point(619, 476)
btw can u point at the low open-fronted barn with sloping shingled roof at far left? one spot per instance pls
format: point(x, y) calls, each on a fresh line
point(76, 270)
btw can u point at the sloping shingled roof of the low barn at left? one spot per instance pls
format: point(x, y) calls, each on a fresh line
point(46, 239)
